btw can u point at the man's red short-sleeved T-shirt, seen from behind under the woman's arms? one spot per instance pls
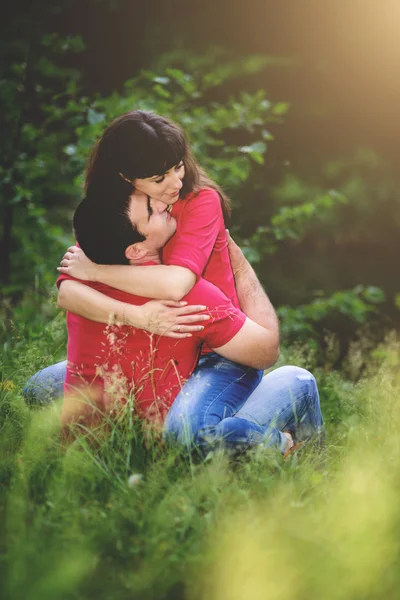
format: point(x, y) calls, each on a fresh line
point(119, 361)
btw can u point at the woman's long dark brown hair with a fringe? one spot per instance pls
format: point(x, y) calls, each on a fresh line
point(141, 144)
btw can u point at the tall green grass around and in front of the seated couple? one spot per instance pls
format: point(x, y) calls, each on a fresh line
point(321, 525)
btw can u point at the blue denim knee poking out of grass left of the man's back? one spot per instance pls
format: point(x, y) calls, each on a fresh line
point(46, 385)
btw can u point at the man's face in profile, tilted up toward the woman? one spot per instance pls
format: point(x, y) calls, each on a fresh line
point(152, 219)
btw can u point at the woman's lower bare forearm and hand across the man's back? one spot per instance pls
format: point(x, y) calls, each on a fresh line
point(169, 318)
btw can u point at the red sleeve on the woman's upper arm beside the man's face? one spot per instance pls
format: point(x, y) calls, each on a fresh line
point(199, 225)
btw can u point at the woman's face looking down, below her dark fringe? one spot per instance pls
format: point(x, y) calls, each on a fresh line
point(164, 188)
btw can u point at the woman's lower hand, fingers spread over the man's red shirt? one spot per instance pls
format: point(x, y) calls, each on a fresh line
point(168, 318)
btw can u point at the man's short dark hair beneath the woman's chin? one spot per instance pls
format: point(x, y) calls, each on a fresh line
point(104, 231)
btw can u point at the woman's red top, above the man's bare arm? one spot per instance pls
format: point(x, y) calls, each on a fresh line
point(200, 242)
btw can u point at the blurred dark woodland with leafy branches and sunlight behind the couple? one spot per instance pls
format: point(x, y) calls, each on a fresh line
point(291, 106)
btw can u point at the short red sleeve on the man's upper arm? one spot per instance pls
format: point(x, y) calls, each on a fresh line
point(226, 320)
